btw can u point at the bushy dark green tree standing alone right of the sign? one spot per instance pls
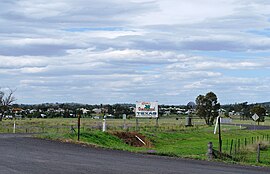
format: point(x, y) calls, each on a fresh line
point(207, 107)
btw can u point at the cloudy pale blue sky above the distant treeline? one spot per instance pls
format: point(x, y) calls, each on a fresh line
point(123, 51)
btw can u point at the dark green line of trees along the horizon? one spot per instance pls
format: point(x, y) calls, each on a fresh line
point(207, 107)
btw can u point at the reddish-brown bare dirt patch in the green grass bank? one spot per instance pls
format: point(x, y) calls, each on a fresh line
point(133, 139)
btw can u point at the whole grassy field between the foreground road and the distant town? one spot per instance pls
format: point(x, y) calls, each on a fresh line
point(170, 138)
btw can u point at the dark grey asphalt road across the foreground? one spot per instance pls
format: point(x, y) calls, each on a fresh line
point(20, 154)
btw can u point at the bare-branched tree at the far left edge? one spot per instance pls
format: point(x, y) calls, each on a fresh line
point(6, 99)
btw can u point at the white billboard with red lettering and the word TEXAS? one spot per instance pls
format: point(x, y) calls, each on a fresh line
point(147, 109)
